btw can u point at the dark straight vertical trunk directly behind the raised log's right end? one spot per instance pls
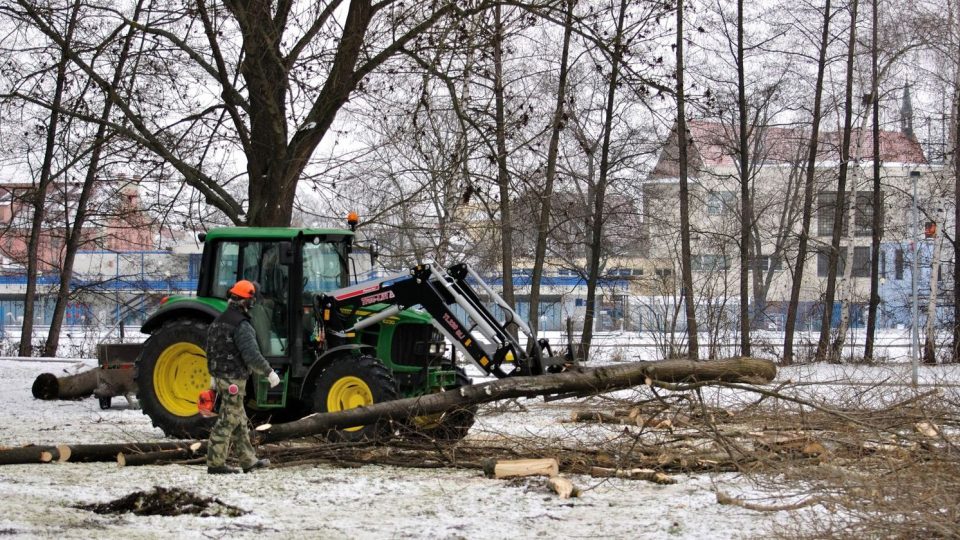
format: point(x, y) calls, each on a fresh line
point(745, 207)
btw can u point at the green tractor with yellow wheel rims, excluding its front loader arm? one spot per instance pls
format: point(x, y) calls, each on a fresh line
point(324, 367)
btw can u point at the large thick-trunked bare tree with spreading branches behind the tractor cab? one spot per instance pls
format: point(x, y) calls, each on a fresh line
point(280, 90)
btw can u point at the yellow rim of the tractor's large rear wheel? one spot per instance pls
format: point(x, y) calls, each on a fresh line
point(179, 377)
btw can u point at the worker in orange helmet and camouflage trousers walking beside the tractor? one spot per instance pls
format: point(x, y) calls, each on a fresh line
point(232, 355)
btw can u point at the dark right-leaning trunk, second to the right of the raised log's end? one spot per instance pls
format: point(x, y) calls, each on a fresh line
point(824, 345)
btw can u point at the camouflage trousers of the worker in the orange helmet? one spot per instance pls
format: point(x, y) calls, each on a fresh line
point(231, 428)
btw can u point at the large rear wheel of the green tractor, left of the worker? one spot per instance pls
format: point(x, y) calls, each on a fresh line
point(171, 373)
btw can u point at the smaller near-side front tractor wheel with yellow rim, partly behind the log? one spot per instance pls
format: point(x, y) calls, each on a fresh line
point(355, 381)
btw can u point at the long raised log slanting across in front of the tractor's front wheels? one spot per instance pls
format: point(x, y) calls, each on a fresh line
point(581, 381)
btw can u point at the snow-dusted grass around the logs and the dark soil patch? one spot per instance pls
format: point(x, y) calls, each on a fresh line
point(330, 502)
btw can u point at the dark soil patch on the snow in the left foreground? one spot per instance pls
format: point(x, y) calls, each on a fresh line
point(165, 502)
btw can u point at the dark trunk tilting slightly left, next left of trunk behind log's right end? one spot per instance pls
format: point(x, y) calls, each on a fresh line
point(693, 344)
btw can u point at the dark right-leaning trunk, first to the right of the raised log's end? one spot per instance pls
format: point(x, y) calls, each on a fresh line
point(811, 171)
